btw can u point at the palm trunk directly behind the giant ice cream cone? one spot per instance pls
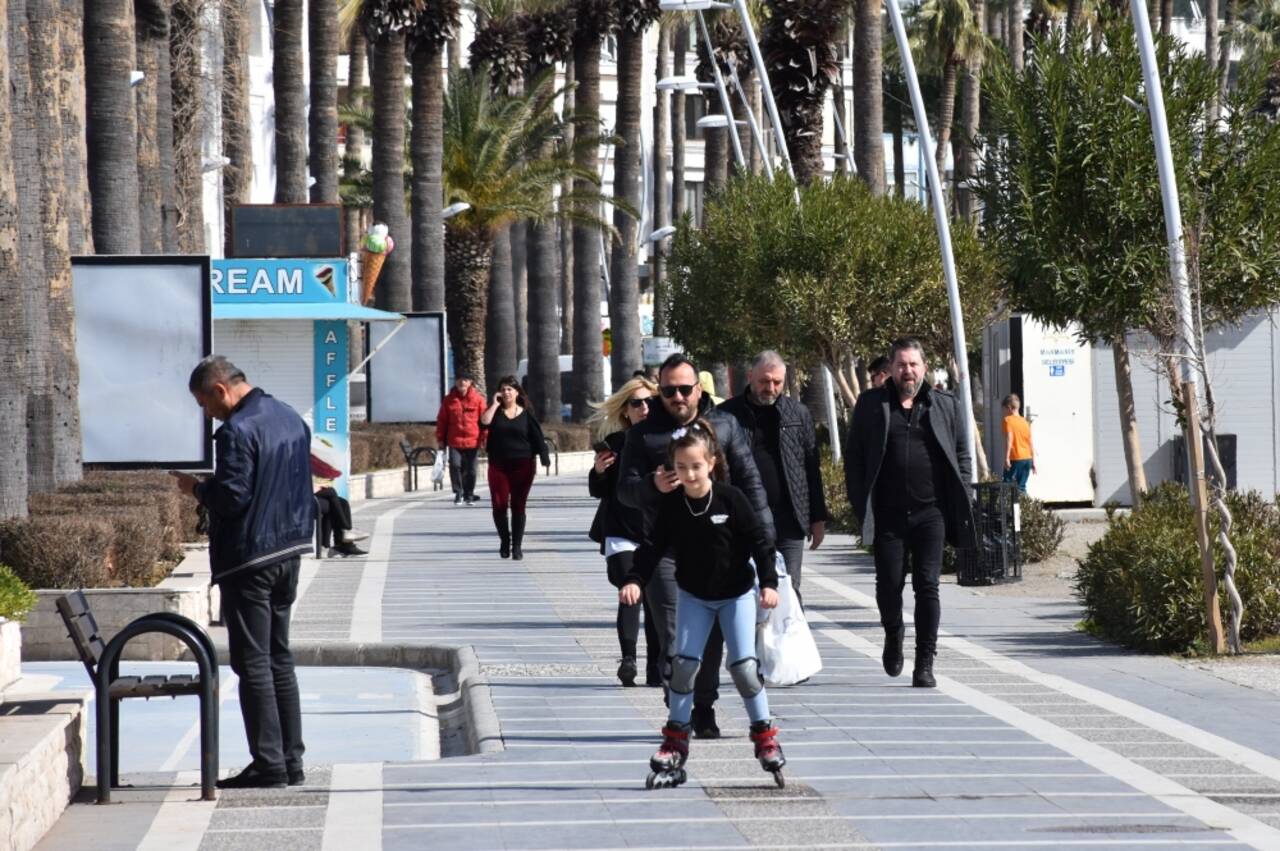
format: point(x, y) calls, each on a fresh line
point(394, 286)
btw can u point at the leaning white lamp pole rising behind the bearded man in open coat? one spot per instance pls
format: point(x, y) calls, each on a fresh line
point(944, 226)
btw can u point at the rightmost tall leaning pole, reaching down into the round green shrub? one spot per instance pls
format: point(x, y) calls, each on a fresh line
point(1183, 303)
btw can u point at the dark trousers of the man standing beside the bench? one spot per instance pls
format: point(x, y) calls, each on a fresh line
point(257, 606)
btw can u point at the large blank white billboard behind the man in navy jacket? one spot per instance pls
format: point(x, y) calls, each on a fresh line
point(141, 327)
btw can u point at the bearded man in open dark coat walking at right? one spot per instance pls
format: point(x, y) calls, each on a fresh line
point(908, 473)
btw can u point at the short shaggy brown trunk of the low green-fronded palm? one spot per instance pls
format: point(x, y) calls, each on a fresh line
point(468, 260)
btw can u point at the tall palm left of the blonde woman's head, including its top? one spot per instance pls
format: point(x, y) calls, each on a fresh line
point(596, 20)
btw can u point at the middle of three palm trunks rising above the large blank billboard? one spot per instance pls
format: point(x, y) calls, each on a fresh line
point(152, 24)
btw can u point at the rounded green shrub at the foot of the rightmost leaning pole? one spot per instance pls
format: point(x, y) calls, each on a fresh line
point(1141, 584)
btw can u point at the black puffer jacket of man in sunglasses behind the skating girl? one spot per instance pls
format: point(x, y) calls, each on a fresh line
point(647, 447)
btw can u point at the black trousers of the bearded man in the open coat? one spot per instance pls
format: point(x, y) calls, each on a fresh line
point(911, 542)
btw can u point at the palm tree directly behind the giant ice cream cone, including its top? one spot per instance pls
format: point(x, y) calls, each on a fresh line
point(387, 24)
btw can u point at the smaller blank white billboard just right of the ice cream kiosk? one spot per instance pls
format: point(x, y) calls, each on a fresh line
point(406, 377)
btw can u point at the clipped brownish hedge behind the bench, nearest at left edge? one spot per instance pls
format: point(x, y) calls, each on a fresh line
point(58, 552)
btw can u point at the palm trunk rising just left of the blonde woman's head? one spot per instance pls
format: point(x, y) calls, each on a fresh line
point(588, 368)
